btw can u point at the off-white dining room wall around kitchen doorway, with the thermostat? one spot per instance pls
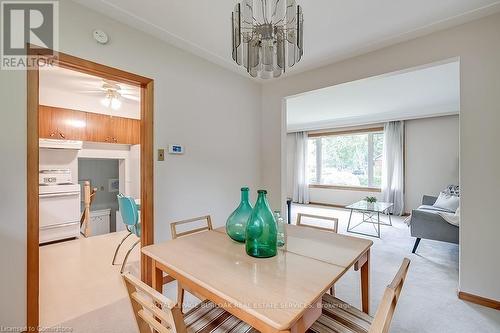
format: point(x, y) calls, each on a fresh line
point(213, 112)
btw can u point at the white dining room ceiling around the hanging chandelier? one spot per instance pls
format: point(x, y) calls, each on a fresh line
point(334, 29)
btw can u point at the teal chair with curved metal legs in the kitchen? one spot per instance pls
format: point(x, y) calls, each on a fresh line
point(130, 216)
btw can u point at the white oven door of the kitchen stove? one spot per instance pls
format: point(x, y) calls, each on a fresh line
point(59, 208)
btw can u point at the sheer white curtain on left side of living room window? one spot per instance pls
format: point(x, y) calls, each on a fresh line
point(300, 182)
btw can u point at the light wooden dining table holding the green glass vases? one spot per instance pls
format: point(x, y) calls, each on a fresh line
point(279, 294)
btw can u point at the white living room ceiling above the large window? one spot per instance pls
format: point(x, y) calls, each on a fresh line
point(419, 93)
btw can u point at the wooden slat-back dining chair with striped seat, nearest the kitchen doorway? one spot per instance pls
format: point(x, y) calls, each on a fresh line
point(156, 313)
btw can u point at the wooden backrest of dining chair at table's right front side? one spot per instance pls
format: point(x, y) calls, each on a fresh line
point(382, 320)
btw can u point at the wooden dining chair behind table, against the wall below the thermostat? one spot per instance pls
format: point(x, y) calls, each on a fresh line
point(186, 231)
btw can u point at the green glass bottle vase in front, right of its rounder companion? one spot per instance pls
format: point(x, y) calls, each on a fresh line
point(261, 232)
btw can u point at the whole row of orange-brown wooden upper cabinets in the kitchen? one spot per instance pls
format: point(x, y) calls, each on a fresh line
point(66, 124)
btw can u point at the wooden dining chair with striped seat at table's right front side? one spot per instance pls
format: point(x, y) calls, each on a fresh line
point(340, 317)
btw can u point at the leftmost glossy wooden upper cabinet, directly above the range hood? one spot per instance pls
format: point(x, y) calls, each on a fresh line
point(63, 124)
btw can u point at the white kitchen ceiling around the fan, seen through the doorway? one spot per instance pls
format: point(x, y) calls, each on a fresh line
point(70, 89)
